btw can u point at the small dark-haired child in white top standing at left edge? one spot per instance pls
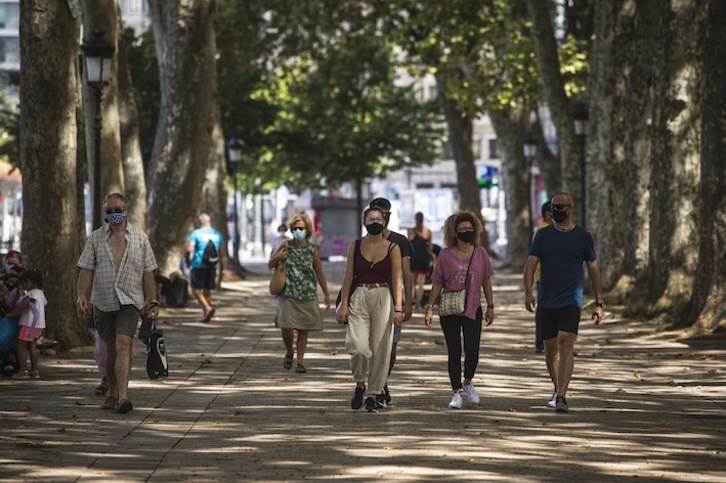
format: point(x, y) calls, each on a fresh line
point(31, 309)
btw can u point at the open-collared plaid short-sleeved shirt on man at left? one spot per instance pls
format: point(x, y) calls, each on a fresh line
point(113, 288)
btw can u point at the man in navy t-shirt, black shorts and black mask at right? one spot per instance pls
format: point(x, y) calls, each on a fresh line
point(561, 248)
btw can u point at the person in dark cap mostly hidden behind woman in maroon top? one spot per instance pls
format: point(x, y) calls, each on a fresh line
point(406, 249)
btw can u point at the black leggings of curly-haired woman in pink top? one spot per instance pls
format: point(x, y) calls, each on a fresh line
point(453, 326)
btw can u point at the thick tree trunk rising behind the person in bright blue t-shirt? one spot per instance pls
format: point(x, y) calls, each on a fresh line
point(184, 34)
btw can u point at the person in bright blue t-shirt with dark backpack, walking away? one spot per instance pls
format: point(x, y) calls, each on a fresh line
point(203, 248)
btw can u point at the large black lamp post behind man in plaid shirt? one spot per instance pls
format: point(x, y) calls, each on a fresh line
point(98, 55)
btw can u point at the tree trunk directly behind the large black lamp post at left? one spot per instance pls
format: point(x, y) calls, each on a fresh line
point(102, 15)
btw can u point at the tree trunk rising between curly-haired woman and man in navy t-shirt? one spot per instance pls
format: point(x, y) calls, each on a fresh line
point(510, 127)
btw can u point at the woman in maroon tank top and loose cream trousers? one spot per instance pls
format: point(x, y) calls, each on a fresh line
point(374, 261)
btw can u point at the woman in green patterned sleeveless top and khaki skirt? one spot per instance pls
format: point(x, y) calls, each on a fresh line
point(298, 309)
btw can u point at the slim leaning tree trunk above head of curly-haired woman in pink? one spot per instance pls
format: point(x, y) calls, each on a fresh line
point(460, 129)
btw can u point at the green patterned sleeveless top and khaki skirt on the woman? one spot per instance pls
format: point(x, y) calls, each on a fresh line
point(298, 303)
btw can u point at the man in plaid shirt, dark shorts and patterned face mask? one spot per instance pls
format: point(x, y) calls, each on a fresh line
point(116, 283)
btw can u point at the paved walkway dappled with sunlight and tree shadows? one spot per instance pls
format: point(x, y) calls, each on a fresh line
point(642, 404)
